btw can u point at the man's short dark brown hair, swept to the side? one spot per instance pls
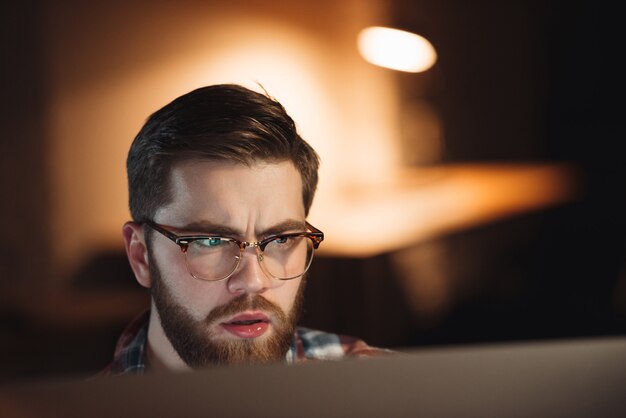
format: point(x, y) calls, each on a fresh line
point(223, 122)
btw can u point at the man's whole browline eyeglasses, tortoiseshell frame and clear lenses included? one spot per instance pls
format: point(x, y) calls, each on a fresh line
point(212, 257)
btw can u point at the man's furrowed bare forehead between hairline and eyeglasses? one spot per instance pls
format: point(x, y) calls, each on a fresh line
point(233, 194)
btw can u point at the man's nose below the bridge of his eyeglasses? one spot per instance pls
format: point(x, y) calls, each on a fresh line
point(249, 277)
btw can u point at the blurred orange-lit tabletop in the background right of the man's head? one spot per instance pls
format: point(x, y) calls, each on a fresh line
point(422, 203)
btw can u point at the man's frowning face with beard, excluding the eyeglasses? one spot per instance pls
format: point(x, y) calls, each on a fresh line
point(248, 317)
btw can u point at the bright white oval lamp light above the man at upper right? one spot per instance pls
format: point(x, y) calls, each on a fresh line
point(396, 49)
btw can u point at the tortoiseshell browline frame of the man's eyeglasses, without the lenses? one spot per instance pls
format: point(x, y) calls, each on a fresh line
point(315, 235)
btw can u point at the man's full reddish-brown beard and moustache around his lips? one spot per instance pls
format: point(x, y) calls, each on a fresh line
point(196, 343)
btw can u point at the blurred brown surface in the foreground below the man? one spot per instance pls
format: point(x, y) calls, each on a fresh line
point(564, 378)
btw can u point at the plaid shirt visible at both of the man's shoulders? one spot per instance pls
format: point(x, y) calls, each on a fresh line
point(307, 345)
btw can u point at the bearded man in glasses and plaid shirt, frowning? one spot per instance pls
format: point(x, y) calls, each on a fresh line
point(220, 184)
